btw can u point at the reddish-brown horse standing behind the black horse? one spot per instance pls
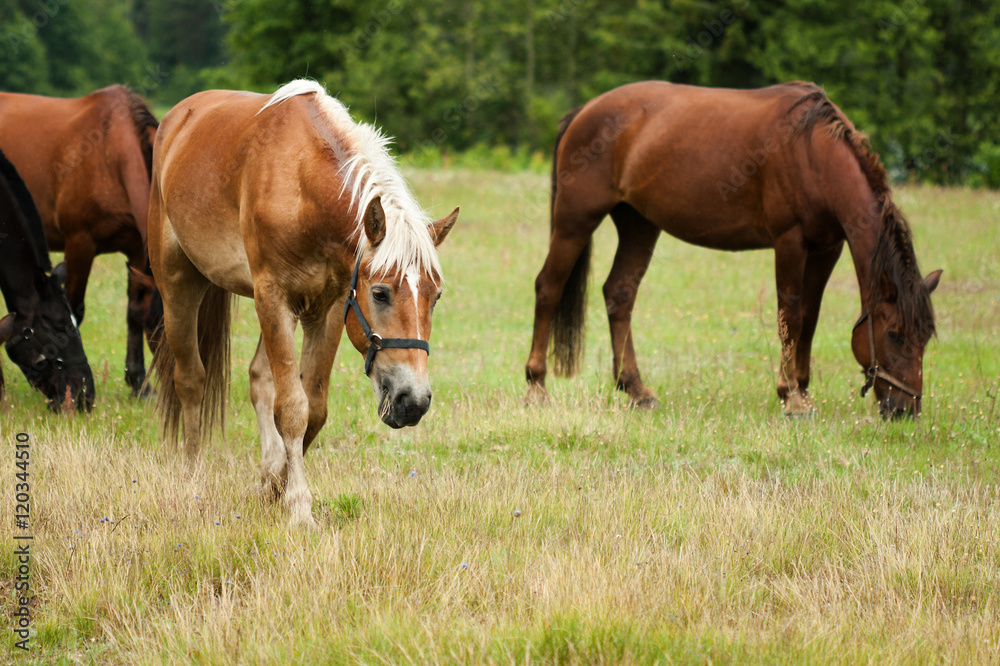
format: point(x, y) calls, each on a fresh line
point(87, 165)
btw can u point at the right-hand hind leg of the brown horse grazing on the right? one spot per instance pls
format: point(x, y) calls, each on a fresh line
point(637, 238)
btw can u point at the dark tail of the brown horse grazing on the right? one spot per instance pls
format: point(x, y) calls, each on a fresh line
point(568, 322)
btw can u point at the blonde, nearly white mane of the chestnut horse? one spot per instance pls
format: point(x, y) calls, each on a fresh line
point(369, 171)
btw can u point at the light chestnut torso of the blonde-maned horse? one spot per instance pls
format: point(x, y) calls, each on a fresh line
point(240, 189)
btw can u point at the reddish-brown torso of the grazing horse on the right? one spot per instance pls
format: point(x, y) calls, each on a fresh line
point(717, 167)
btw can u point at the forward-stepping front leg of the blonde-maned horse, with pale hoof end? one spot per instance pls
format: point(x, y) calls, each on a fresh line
point(291, 405)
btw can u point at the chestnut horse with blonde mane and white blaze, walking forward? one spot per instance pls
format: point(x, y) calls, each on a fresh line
point(278, 199)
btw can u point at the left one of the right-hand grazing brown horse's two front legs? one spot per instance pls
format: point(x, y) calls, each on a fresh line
point(789, 263)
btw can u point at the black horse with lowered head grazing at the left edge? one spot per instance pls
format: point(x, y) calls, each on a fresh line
point(43, 338)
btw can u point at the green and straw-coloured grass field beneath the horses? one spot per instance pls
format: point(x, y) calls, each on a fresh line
point(712, 529)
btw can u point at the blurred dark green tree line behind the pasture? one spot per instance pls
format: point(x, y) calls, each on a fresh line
point(921, 77)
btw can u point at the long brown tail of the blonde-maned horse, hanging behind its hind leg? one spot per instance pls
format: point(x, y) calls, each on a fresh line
point(214, 319)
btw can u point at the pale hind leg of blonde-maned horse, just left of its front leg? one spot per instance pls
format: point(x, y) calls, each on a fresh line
point(274, 461)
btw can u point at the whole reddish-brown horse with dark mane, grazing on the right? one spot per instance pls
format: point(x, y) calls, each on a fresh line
point(780, 167)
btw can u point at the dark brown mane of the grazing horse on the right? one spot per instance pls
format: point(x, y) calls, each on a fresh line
point(893, 257)
